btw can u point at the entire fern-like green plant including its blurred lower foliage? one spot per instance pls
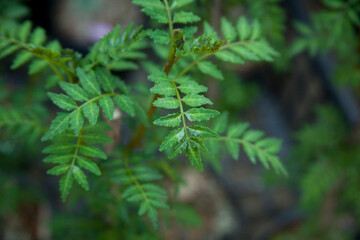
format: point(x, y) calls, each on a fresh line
point(87, 93)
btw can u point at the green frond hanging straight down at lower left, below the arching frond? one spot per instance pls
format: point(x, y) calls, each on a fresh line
point(72, 154)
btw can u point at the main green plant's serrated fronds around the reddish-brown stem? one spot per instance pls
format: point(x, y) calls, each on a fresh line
point(88, 85)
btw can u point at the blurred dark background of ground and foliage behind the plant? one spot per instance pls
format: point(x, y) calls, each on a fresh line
point(308, 97)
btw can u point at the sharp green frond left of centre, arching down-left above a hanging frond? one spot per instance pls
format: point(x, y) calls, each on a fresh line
point(91, 95)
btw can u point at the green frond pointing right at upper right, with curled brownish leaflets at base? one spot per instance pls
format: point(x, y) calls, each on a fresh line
point(243, 42)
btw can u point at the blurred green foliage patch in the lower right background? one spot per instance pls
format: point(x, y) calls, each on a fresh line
point(312, 157)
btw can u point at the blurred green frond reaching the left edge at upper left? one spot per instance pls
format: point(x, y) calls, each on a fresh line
point(32, 48)
